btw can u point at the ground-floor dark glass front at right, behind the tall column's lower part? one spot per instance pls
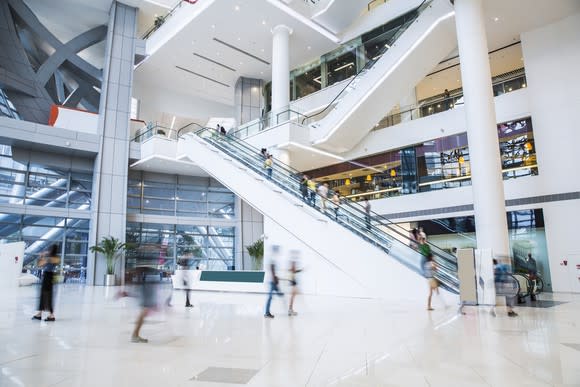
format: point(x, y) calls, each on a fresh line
point(527, 235)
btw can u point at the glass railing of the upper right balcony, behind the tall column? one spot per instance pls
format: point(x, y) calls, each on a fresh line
point(502, 84)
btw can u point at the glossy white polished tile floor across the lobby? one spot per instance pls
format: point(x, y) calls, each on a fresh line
point(332, 342)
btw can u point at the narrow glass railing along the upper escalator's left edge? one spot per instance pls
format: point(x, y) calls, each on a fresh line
point(351, 85)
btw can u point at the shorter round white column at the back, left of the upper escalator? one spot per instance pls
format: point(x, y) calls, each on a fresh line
point(280, 67)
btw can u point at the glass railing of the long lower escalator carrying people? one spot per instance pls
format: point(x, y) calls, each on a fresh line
point(390, 237)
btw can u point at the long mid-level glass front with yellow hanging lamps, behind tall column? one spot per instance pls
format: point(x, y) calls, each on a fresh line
point(432, 165)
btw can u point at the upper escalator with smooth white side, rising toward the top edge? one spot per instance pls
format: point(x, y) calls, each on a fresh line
point(413, 50)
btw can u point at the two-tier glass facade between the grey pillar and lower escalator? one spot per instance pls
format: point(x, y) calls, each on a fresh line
point(202, 222)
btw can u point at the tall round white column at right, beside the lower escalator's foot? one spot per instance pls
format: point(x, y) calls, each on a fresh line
point(486, 175)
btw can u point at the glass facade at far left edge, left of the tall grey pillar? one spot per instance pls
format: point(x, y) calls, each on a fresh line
point(37, 200)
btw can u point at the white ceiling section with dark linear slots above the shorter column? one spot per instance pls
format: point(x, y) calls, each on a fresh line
point(245, 24)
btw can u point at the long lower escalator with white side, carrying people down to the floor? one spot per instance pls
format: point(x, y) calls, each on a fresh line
point(239, 167)
